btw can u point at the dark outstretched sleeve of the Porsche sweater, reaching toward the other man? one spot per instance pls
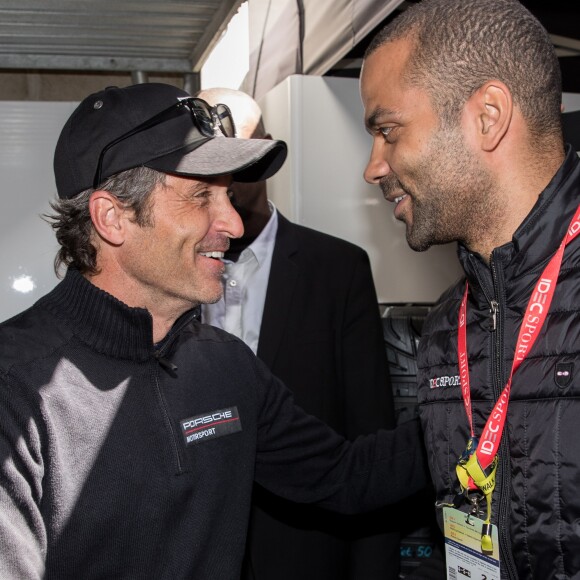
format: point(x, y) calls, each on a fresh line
point(303, 460)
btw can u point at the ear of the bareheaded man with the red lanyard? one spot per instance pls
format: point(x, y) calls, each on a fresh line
point(492, 106)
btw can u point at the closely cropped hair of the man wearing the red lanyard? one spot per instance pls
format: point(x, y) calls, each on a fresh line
point(459, 45)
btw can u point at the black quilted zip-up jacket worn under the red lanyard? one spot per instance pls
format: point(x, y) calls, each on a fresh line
point(536, 503)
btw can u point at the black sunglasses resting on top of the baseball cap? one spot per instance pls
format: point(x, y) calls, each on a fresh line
point(209, 120)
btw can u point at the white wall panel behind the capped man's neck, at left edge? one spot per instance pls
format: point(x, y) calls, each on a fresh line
point(28, 135)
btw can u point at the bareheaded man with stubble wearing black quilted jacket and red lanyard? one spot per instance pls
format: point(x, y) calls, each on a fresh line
point(463, 102)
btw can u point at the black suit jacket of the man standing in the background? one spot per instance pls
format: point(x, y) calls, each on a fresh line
point(321, 334)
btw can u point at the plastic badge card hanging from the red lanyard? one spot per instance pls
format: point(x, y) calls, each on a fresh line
point(463, 548)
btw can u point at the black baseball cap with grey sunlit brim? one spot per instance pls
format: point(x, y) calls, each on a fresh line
point(176, 145)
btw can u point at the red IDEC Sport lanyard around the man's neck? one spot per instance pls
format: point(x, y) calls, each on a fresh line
point(534, 318)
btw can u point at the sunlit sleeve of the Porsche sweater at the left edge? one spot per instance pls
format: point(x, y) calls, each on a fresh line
point(22, 531)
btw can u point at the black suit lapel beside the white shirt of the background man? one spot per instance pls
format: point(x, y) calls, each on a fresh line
point(281, 284)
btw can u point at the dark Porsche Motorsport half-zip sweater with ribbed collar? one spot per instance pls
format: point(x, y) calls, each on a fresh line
point(98, 476)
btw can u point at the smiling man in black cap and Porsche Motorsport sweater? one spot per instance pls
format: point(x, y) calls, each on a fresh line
point(131, 434)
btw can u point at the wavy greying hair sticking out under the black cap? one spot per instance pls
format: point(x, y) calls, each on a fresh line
point(72, 222)
